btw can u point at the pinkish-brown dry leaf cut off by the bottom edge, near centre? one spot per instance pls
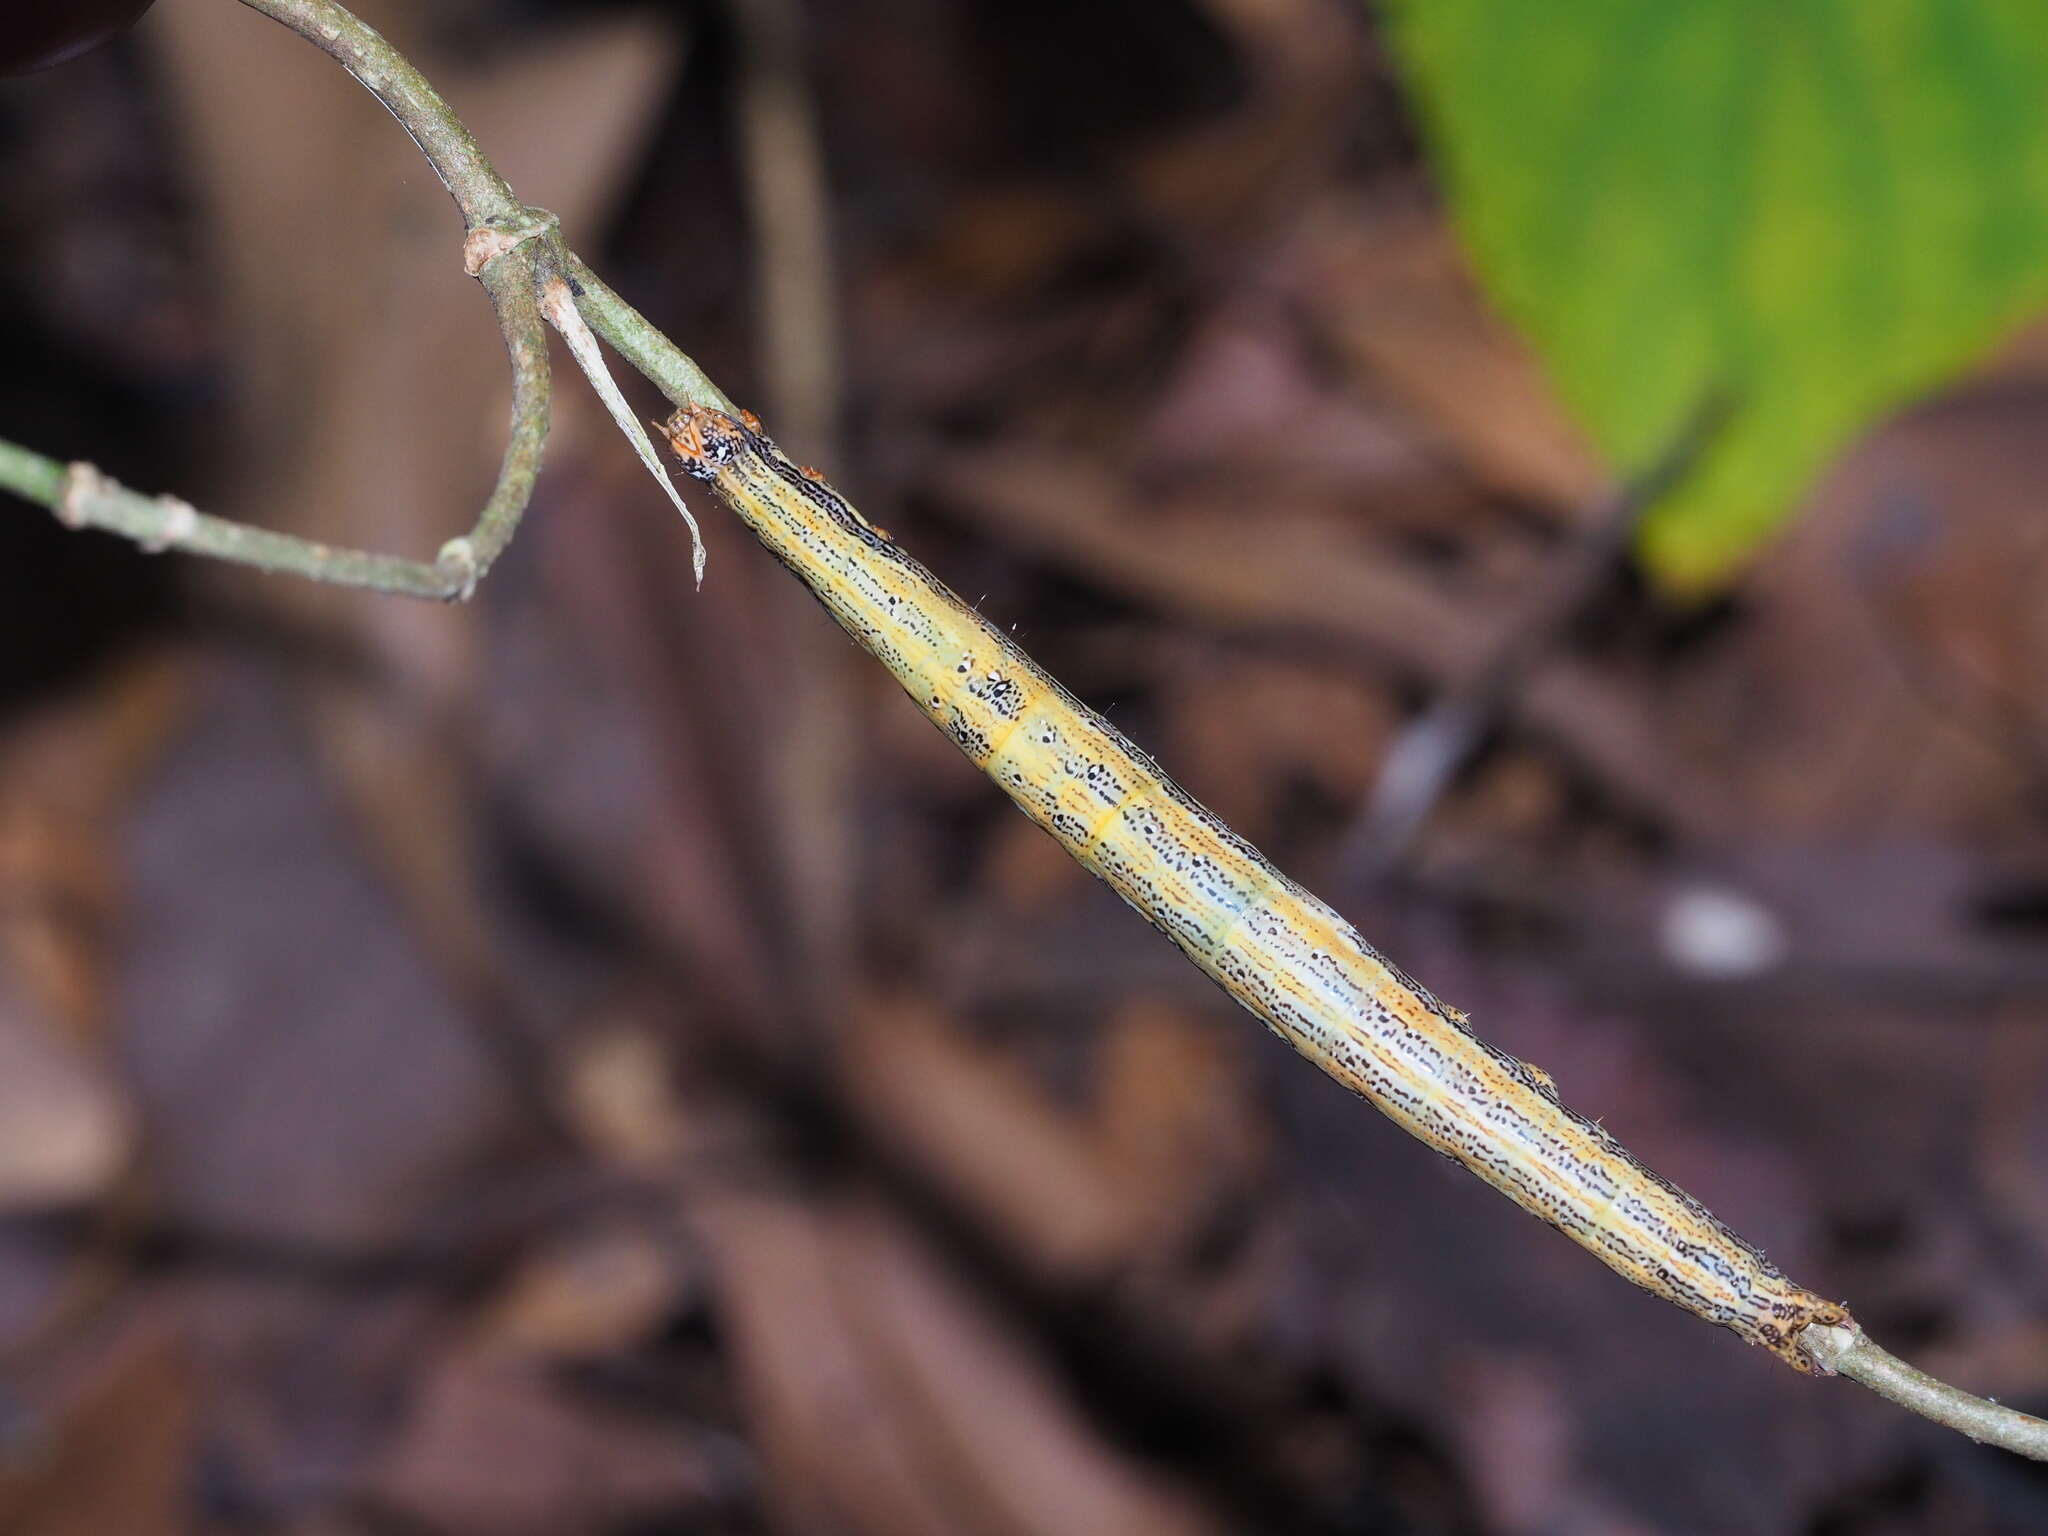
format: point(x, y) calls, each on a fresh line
point(890, 1402)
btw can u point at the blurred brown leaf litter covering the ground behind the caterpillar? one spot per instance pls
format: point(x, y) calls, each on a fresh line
point(595, 1062)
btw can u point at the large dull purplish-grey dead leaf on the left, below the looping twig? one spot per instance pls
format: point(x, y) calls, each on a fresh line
point(302, 1066)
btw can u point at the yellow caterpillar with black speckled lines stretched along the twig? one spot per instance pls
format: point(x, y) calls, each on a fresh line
point(1271, 945)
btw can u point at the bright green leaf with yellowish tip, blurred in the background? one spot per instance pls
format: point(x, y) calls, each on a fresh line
point(1824, 208)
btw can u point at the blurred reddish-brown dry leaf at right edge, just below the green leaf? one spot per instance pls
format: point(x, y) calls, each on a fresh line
point(1887, 671)
